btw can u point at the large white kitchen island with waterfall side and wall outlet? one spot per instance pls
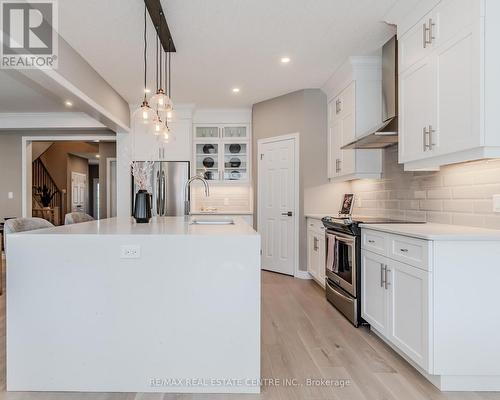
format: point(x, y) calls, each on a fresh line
point(115, 306)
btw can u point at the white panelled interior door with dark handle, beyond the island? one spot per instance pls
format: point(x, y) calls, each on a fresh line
point(277, 204)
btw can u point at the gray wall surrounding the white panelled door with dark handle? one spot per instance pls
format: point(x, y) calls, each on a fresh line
point(305, 112)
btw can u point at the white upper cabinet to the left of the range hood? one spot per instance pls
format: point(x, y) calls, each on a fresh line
point(354, 107)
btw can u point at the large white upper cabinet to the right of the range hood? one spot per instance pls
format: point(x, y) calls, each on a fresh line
point(449, 90)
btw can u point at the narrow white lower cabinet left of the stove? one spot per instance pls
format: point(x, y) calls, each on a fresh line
point(316, 250)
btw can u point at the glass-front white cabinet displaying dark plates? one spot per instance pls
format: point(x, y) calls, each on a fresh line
point(222, 152)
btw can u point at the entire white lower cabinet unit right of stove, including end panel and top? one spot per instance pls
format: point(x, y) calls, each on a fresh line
point(419, 297)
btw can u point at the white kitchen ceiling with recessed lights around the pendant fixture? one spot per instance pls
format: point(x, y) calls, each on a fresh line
point(226, 43)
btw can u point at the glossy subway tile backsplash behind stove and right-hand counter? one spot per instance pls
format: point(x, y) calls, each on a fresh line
point(458, 194)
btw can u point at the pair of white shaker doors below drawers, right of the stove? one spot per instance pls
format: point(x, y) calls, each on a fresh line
point(395, 302)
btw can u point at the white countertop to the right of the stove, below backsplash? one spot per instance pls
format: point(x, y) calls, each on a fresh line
point(431, 231)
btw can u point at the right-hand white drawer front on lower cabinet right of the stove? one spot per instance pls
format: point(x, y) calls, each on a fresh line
point(410, 251)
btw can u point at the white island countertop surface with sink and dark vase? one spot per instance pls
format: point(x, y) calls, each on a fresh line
point(157, 226)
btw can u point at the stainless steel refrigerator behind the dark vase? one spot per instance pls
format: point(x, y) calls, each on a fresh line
point(166, 186)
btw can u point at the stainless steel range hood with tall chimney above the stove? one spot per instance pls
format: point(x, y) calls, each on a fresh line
point(385, 134)
